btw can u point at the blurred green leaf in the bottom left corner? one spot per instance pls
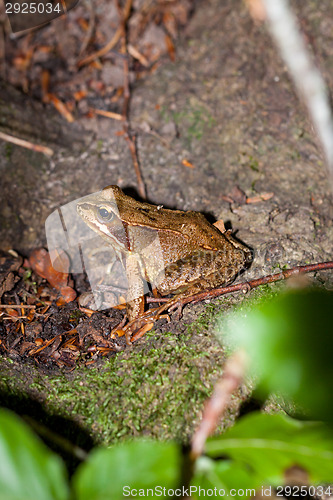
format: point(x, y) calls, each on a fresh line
point(28, 470)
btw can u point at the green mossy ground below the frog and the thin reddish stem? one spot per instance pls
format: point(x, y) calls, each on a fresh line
point(155, 388)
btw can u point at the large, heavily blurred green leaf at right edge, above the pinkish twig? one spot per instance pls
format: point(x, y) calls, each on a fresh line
point(290, 343)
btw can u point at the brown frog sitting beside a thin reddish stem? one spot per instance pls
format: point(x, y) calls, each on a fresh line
point(176, 252)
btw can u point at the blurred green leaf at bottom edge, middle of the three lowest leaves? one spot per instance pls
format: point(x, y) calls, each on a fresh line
point(134, 465)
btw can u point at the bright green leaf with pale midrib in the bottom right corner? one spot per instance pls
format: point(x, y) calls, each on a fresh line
point(264, 446)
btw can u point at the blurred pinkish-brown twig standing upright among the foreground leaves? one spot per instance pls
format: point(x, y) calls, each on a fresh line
point(216, 405)
